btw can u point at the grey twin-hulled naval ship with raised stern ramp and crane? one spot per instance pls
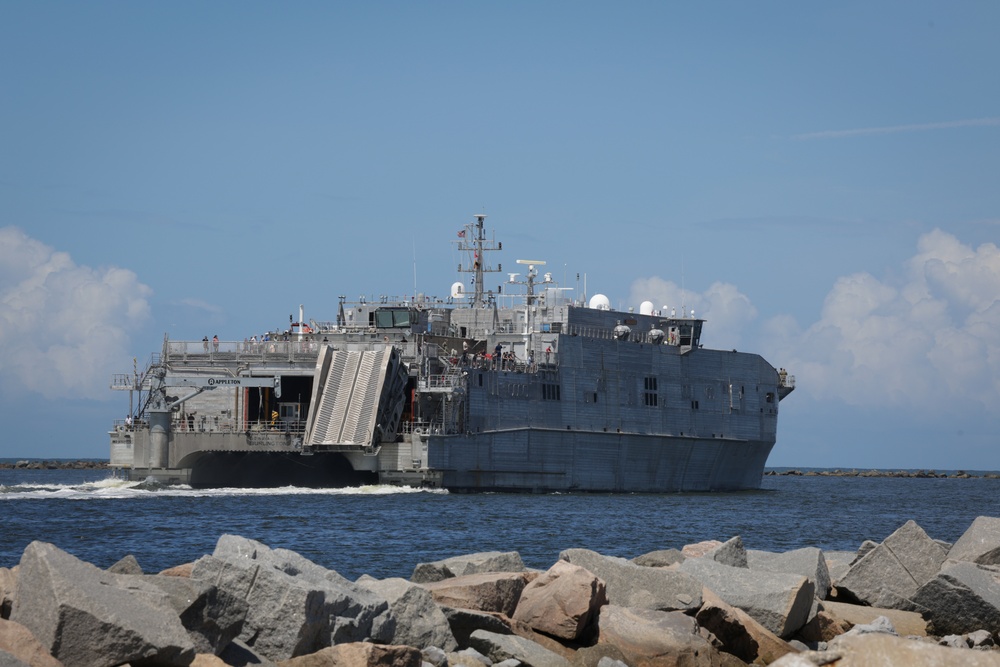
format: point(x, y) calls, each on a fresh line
point(517, 389)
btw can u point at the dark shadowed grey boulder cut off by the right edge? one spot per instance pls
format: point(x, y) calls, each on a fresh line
point(962, 598)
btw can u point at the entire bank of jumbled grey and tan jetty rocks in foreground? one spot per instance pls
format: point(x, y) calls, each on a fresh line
point(907, 600)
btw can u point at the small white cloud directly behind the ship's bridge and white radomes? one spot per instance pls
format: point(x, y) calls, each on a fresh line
point(729, 310)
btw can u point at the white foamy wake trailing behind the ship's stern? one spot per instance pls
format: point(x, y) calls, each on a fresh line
point(115, 488)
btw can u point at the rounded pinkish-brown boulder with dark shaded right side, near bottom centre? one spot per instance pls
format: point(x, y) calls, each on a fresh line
point(562, 602)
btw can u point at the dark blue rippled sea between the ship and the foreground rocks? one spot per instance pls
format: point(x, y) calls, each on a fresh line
point(385, 532)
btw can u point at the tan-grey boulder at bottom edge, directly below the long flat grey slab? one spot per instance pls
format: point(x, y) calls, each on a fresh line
point(648, 637)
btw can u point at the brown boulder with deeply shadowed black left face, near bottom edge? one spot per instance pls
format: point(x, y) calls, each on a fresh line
point(739, 634)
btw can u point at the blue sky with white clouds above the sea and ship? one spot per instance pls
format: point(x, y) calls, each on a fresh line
point(817, 180)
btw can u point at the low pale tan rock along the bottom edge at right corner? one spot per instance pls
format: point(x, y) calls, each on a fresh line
point(882, 649)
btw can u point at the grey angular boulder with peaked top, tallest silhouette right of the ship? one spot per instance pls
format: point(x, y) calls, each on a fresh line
point(890, 574)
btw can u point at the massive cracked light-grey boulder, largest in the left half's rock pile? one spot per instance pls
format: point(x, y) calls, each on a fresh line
point(295, 606)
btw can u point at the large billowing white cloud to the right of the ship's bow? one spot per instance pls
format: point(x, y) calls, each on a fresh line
point(929, 339)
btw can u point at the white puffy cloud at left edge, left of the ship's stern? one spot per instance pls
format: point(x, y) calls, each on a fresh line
point(63, 327)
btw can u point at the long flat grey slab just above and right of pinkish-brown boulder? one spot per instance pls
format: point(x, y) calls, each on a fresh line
point(631, 585)
